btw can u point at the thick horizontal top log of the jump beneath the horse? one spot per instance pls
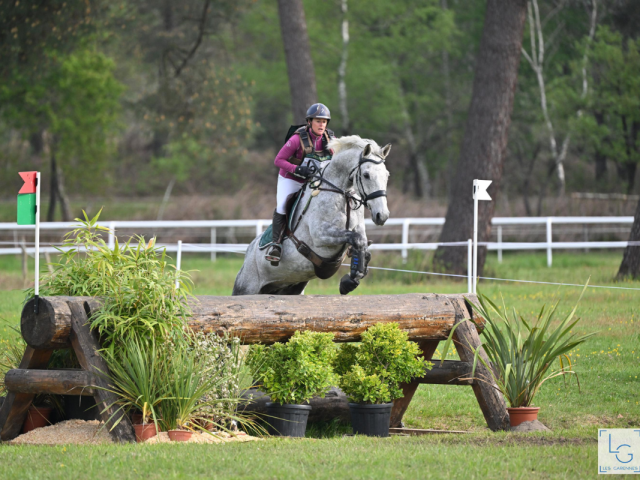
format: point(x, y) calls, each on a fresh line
point(274, 318)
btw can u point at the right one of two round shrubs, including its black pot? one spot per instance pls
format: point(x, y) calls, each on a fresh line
point(371, 373)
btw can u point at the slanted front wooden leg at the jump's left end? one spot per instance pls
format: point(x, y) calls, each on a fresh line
point(86, 346)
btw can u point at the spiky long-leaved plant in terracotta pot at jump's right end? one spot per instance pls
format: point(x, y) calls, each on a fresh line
point(522, 354)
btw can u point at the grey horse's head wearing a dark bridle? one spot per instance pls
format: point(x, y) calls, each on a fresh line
point(370, 178)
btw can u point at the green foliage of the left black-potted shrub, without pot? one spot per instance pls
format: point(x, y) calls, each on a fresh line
point(296, 371)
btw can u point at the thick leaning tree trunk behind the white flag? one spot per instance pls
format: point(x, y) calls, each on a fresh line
point(483, 148)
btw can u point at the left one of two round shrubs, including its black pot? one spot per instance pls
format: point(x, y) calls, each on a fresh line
point(291, 374)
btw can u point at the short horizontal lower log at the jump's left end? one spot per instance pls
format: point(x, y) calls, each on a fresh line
point(58, 382)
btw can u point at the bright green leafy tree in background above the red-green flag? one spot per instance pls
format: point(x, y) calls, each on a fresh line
point(76, 102)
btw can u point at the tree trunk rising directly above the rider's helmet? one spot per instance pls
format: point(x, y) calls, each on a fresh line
point(302, 77)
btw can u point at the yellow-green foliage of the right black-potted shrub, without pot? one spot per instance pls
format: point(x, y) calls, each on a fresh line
point(372, 371)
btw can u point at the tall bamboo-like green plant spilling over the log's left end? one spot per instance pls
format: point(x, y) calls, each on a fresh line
point(136, 283)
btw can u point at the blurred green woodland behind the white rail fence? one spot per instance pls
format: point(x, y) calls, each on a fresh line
point(151, 99)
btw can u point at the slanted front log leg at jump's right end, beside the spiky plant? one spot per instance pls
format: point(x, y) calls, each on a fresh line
point(489, 398)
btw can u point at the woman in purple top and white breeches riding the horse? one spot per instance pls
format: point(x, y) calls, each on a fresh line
point(308, 142)
